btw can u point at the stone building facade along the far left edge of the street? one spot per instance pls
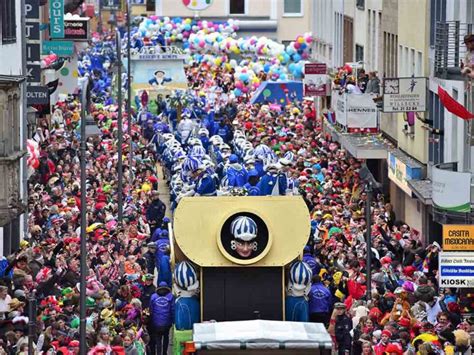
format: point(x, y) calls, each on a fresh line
point(12, 146)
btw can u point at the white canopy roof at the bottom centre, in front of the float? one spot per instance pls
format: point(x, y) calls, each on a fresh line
point(261, 334)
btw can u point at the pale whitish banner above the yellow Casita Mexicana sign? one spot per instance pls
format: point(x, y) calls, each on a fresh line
point(451, 190)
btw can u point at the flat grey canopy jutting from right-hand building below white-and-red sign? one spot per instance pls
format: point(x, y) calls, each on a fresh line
point(360, 146)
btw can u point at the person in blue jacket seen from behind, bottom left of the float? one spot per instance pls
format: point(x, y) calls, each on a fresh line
point(161, 318)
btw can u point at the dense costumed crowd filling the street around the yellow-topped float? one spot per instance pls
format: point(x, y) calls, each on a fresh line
point(221, 145)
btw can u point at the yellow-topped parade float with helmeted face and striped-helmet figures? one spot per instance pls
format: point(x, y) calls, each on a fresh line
point(238, 279)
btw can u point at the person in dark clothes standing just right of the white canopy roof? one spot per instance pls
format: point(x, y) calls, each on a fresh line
point(340, 326)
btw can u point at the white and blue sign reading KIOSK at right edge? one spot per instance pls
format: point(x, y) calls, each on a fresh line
point(456, 269)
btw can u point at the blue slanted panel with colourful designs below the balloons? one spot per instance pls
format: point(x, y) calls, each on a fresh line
point(278, 92)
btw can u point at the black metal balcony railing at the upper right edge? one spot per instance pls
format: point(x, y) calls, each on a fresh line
point(450, 49)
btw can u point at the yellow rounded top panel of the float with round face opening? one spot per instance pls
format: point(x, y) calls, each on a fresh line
point(202, 230)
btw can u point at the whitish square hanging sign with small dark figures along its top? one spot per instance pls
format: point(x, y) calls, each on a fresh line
point(404, 94)
